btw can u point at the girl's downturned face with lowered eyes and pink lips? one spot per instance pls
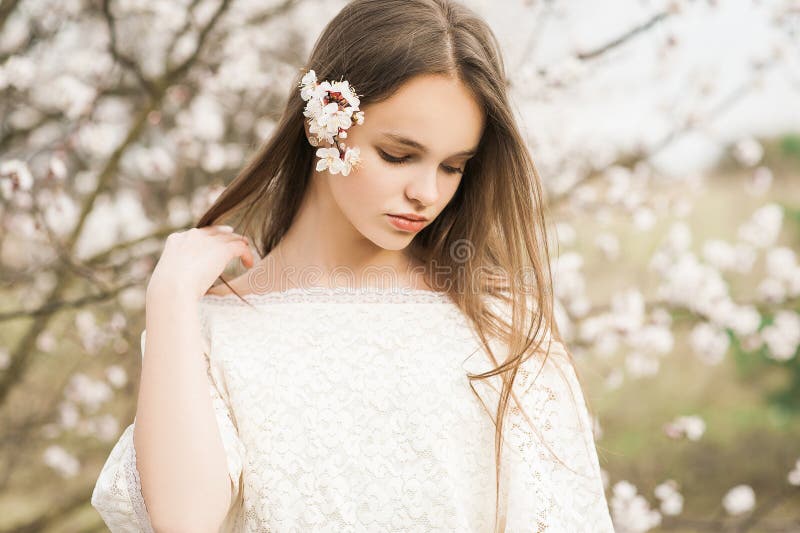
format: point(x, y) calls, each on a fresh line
point(413, 146)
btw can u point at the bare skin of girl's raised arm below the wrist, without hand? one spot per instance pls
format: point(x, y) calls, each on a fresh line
point(180, 456)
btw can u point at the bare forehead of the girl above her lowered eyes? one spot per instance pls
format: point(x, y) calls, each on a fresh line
point(437, 111)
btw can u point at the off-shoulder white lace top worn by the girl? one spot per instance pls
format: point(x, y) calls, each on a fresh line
point(351, 411)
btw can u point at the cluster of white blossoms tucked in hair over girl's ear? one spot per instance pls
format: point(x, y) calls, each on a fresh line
point(332, 108)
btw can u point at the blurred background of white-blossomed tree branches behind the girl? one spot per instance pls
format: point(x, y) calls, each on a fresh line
point(667, 135)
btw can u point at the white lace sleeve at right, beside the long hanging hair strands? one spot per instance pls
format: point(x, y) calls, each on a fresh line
point(550, 472)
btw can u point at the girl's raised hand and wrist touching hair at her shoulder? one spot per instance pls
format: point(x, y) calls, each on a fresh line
point(193, 259)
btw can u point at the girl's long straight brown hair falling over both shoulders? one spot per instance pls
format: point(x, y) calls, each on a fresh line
point(491, 238)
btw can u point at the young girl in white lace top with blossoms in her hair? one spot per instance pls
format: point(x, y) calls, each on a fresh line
point(389, 361)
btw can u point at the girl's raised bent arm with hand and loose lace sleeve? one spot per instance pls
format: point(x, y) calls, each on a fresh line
point(182, 455)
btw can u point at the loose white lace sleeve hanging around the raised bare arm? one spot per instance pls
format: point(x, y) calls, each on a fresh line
point(117, 494)
